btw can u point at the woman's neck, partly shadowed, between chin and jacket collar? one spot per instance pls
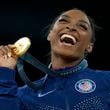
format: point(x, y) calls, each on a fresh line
point(58, 62)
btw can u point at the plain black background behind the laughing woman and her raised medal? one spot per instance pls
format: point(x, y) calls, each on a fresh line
point(31, 19)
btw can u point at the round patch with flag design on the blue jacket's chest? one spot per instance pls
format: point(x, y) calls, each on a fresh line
point(85, 86)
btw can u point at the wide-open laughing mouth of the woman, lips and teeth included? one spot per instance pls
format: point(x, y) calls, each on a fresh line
point(69, 39)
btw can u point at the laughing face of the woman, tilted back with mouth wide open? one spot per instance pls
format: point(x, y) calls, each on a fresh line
point(71, 35)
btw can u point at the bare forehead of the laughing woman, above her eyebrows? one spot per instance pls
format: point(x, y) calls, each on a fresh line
point(76, 14)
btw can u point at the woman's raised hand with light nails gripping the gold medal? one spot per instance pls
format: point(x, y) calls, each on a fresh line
point(7, 57)
